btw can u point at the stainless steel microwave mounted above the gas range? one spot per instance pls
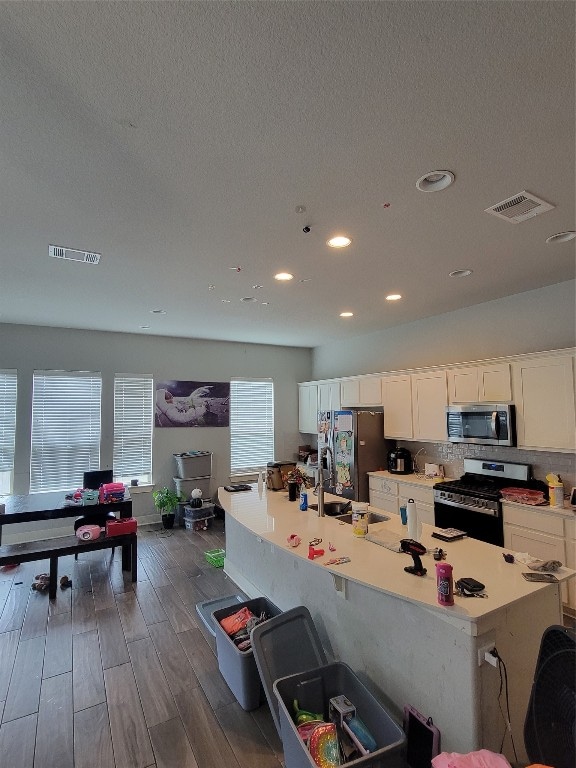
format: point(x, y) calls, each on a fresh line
point(481, 423)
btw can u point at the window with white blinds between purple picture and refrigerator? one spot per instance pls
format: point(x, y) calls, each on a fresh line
point(251, 425)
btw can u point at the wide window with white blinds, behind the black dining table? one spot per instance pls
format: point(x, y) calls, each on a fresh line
point(65, 429)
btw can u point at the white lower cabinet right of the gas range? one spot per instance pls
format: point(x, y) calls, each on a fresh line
point(539, 533)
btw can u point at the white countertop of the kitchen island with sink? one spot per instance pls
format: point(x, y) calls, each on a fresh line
point(273, 518)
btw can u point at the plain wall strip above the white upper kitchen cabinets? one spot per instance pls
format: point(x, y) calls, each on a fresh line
point(526, 322)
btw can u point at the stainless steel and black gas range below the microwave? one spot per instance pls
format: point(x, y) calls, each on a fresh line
point(473, 504)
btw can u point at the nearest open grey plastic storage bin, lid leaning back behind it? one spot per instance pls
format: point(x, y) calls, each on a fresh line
point(290, 642)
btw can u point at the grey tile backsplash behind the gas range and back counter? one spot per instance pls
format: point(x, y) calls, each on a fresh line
point(452, 455)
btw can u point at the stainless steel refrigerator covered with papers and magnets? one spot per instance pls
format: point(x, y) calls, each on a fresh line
point(356, 444)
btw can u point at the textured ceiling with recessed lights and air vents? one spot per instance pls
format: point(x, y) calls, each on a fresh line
point(178, 138)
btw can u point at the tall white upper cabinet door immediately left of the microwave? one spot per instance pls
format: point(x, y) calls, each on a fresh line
point(429, 400)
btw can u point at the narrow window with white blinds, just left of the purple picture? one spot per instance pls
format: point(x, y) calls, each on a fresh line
point(133, 421)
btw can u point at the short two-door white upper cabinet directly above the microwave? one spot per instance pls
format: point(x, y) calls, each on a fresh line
point(480, 384)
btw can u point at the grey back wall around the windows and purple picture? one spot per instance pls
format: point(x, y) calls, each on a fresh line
point(27, 348)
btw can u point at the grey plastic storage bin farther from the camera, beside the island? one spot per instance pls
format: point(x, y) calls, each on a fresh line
point(237, 667)
